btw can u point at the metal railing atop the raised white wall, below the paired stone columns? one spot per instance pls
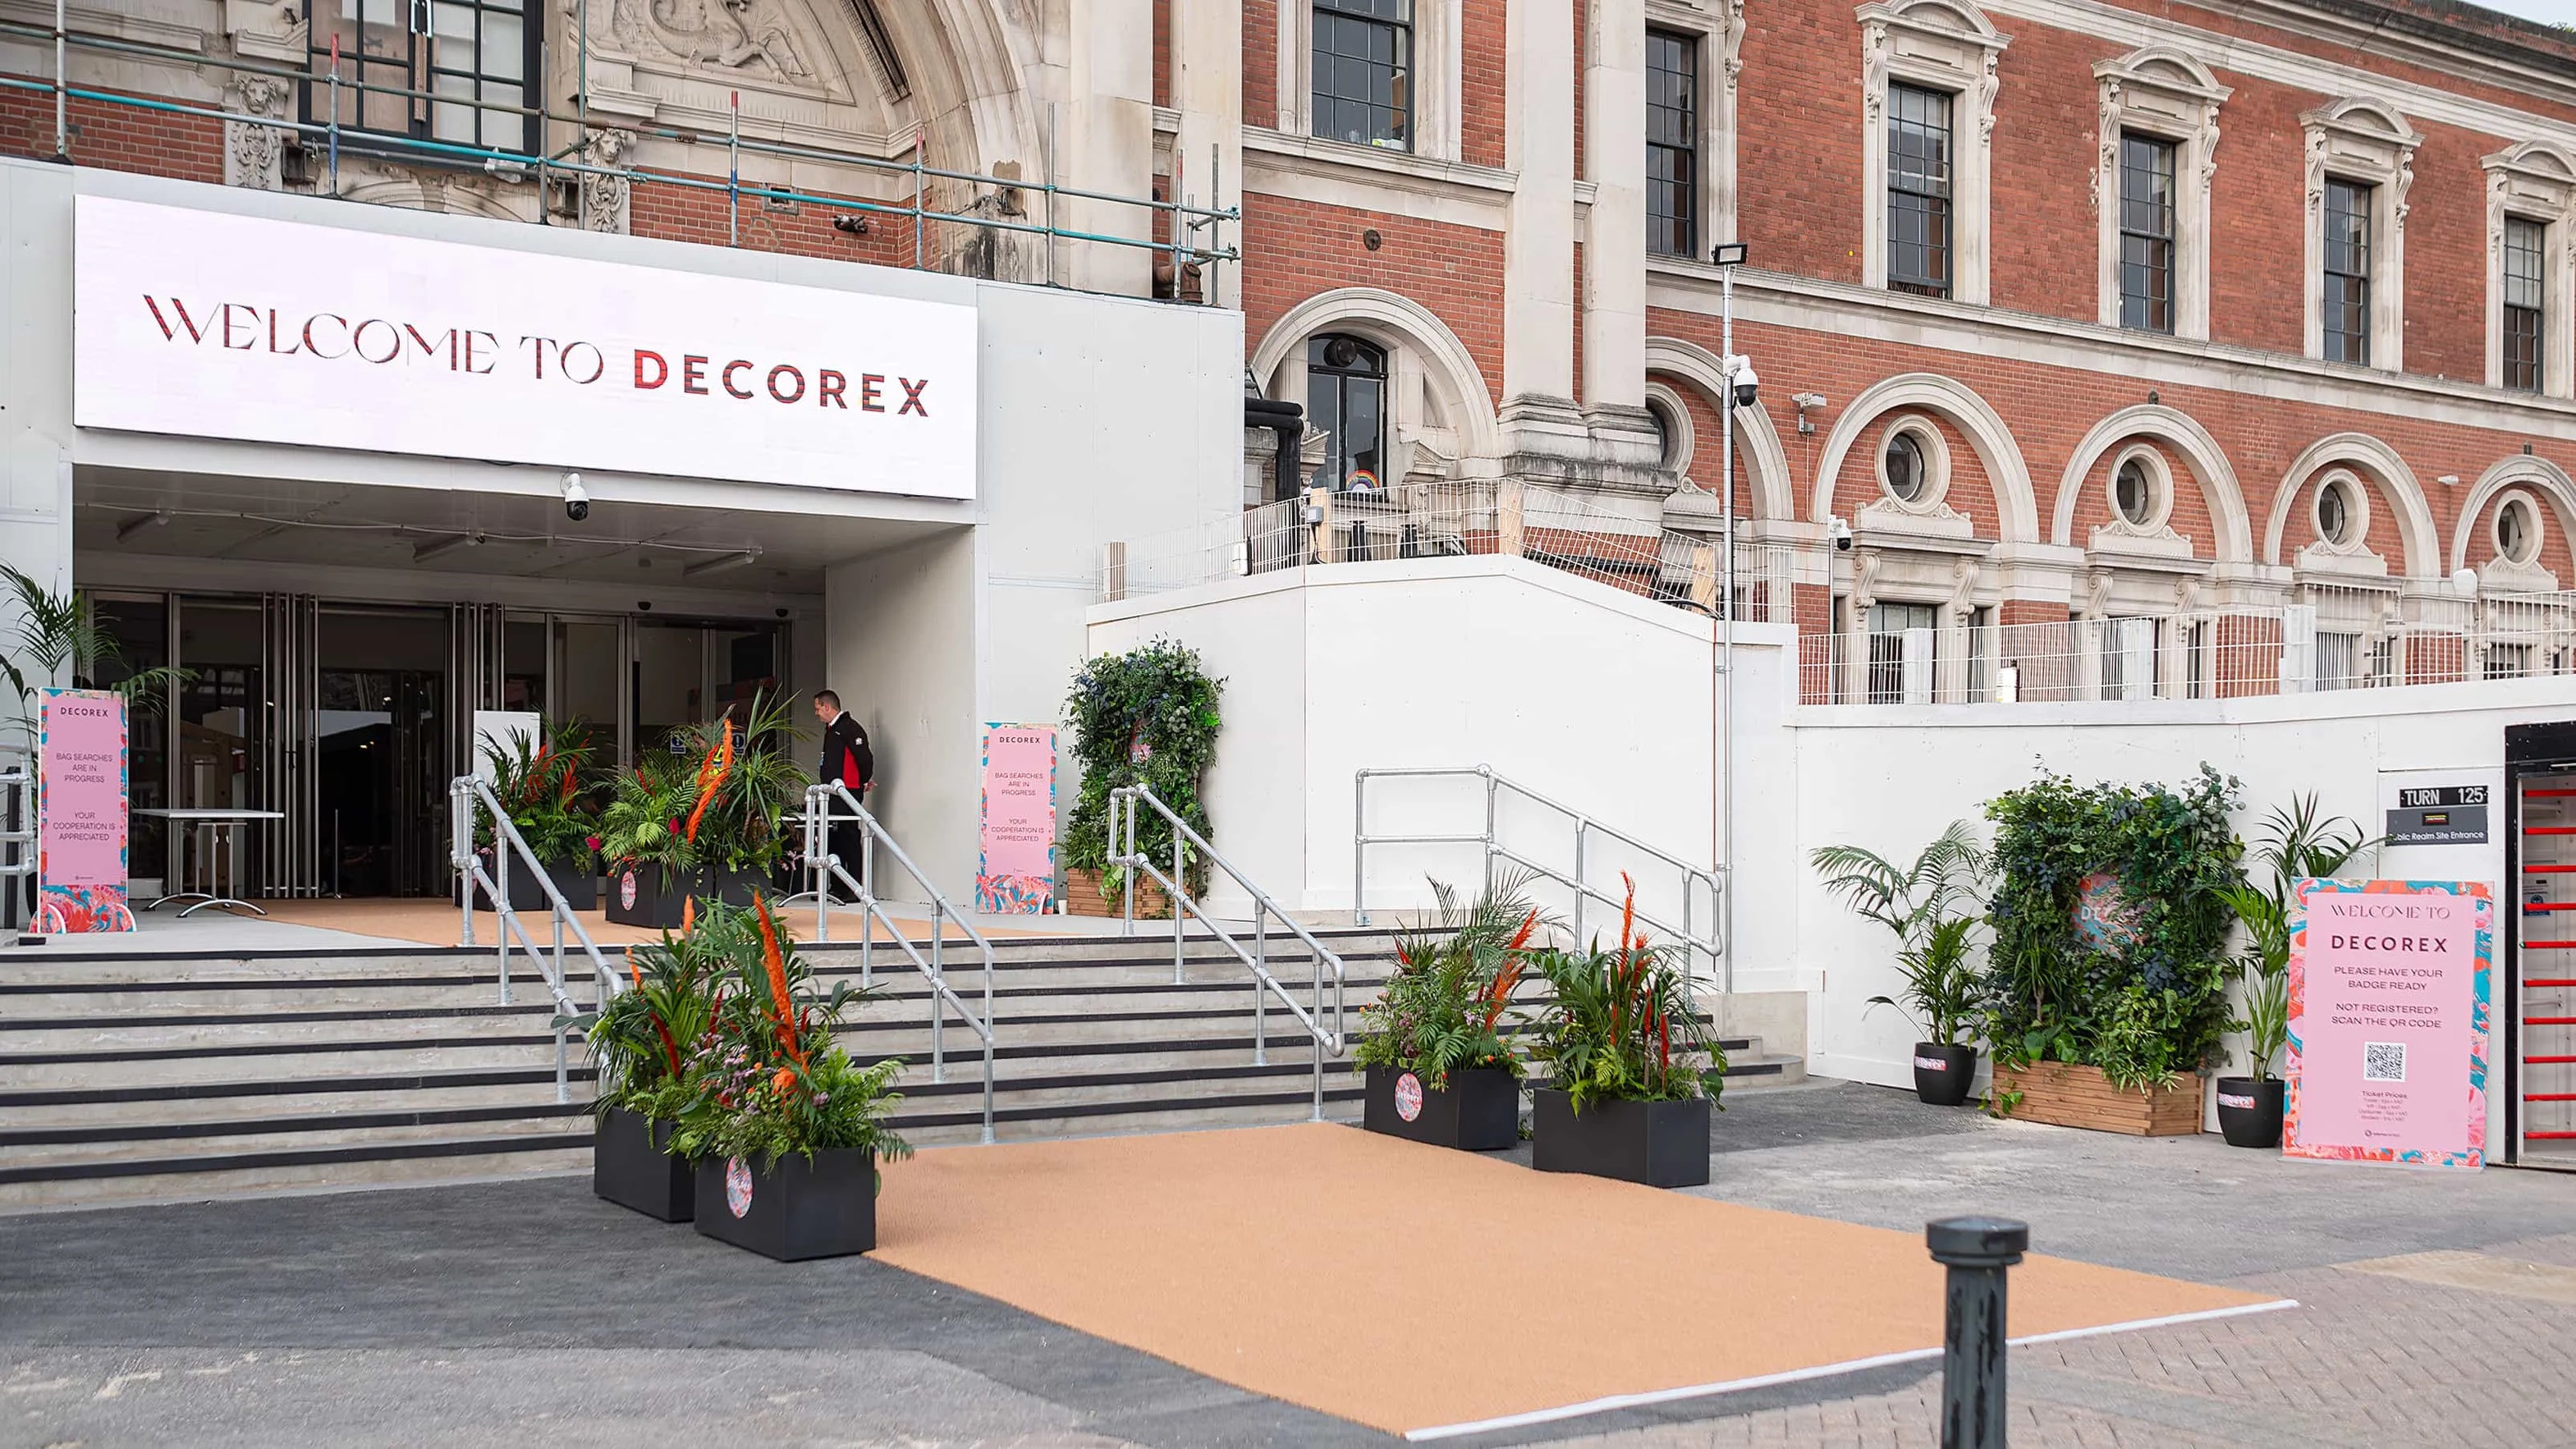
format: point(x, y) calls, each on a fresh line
point(1480, 520)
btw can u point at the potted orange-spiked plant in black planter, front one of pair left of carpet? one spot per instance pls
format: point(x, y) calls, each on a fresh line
point(787, 1131)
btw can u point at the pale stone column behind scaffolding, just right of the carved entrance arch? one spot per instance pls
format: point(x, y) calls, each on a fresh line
point(1109, 141)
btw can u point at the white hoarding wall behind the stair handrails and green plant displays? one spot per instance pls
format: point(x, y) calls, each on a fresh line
point(1604, 703)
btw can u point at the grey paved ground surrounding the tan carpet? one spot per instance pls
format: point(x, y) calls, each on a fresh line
point(527, 1311)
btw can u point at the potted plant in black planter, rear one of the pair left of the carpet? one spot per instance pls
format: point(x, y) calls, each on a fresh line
point(643, 1043)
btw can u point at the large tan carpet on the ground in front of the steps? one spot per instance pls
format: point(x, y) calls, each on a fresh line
point(1434, 1293)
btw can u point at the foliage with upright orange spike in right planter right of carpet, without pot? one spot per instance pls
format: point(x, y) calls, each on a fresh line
point(1624, 1025)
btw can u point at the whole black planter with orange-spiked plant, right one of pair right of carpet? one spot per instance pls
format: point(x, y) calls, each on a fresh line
point(1632, 1066)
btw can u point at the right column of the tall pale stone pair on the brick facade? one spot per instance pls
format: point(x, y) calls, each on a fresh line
point(1616, 233)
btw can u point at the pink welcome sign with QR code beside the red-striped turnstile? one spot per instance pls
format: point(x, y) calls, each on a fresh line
point(2389, 1017)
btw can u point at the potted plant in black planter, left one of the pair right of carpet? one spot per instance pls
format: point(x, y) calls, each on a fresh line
point(1431, 1045)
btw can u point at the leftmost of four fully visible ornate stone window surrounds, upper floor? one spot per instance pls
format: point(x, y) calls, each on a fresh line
point(1931, 45)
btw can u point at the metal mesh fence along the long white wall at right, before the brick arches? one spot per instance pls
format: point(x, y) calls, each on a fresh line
point(2343, 641)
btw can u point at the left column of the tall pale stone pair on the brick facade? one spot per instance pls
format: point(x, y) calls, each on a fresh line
point(1542, 427)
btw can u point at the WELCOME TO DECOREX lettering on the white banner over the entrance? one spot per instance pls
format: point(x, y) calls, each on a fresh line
point(328, 336)
